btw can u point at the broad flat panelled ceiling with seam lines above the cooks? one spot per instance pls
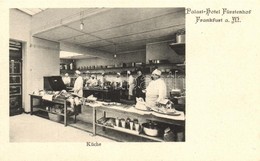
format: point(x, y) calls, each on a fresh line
point(119, 30)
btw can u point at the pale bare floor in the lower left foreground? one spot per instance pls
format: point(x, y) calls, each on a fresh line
point(27, 128)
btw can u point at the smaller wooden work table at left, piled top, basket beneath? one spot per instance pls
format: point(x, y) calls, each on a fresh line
point(41, 105)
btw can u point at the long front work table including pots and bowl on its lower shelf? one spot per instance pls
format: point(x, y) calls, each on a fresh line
point(148, 125)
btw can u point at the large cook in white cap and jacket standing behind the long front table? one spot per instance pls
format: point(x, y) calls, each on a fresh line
point(156, 90)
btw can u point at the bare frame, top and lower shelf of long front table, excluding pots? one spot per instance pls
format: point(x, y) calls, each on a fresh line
point(131, 112)
